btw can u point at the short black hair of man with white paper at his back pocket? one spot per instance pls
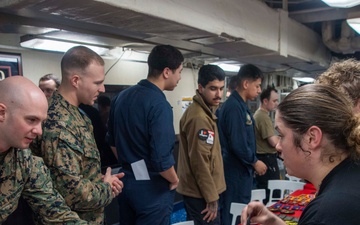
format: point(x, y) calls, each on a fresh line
point(162, 56)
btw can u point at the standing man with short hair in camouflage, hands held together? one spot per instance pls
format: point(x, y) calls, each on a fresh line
point(68, 145)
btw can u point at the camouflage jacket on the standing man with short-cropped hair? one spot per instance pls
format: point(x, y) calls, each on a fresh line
point(69, 150)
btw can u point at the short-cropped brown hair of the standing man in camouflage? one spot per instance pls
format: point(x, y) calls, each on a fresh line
point(79, 58)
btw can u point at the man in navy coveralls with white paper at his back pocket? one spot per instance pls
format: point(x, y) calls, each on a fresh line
point(141, 128)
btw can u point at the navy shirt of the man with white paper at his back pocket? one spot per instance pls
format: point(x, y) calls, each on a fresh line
point(141, 127)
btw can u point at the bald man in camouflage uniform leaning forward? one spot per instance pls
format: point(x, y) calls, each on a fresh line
point(22, 109)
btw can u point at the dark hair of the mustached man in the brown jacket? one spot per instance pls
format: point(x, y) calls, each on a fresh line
point(209, 73)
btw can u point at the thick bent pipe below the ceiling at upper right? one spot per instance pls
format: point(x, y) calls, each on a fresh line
point(348, 43)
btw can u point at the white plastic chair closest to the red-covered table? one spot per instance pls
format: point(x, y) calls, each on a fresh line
point(285, 187)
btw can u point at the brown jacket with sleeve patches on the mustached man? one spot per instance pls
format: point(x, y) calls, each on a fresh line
point(200, 166)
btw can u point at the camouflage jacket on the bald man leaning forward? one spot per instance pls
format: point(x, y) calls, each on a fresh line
point(22, 174)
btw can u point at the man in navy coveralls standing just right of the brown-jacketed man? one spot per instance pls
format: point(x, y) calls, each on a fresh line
point(237, 137)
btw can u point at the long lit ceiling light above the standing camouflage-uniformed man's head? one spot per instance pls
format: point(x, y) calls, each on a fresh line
point(50, 44)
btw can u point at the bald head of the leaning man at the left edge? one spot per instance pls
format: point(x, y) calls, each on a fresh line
point(23, 107)
